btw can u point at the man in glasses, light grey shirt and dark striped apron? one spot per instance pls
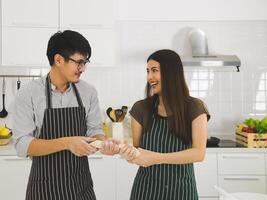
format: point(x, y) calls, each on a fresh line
point(56, 118)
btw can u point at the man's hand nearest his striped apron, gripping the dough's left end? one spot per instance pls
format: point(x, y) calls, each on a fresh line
point(80, 146)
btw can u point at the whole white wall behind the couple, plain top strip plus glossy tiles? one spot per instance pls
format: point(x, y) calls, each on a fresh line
point(234, 27)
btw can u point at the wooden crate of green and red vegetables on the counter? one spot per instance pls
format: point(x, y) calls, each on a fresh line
point(252, 133)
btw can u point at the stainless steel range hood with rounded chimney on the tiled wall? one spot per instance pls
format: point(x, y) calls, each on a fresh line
point(200, 54)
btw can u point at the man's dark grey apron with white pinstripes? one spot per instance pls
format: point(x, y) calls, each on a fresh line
point(61, 175)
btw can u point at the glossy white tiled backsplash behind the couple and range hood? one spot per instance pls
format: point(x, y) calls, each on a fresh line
point(229, 95)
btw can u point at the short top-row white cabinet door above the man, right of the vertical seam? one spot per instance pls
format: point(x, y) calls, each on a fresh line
point(88, 14)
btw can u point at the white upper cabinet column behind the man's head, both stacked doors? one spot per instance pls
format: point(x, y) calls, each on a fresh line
point(94, 20)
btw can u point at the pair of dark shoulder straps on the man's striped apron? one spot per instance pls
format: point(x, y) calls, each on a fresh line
point(48, 93)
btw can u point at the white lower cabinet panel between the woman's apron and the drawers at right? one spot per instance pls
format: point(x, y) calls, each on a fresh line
point(206, 176)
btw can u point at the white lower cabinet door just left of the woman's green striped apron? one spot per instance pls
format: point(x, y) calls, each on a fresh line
point(125, 176)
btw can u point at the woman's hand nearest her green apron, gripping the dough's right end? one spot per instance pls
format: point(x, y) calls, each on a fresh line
point(146, 158)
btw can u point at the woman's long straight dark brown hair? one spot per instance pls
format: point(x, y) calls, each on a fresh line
point(174, 91)
